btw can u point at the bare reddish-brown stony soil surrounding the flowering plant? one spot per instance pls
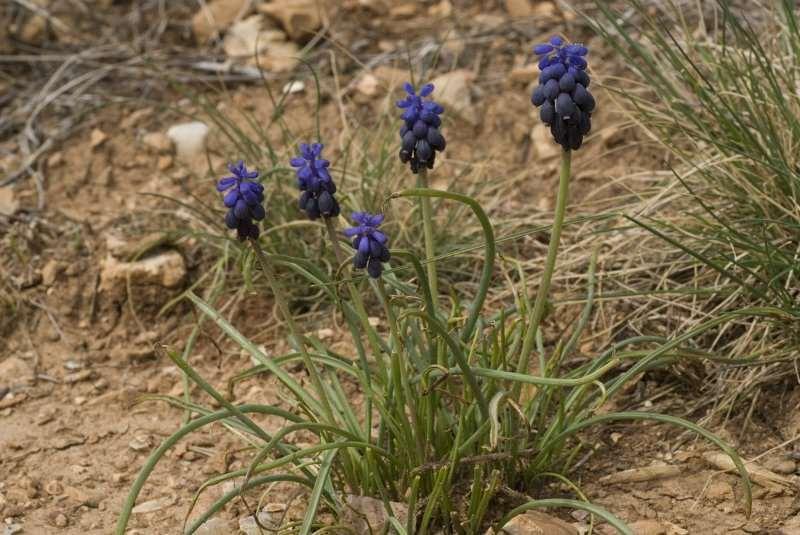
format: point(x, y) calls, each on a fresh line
point(88, 275)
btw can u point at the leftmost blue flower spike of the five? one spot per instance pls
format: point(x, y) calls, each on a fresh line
point(243, 198)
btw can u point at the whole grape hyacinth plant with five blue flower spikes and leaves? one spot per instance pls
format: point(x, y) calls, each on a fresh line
point(425, 405)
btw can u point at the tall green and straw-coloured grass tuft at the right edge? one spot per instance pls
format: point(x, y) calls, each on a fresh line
point(717, 88)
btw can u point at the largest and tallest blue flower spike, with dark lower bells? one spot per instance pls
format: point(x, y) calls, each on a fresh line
point(562, 96)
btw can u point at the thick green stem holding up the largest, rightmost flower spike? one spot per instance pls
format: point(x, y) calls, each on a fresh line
point(536, 315)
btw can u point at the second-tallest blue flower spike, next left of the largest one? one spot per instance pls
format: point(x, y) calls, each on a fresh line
point(420, 134)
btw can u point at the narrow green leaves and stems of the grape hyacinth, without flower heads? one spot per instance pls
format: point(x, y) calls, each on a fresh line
point(450, 418)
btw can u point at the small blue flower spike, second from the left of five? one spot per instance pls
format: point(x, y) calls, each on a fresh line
point(315, 182)
